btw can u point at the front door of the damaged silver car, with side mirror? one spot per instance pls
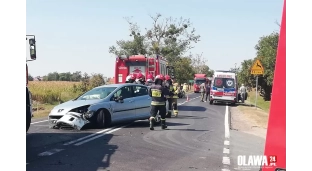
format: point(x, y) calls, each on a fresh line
point(125, 110)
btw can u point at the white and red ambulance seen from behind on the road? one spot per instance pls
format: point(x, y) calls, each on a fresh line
point(223, 87)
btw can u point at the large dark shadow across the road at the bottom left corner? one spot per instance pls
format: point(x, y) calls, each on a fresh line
point(89, 157)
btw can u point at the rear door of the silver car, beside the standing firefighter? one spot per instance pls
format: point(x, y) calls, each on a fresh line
point(142, 102)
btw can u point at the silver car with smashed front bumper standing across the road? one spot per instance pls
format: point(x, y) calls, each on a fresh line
point(103, 106)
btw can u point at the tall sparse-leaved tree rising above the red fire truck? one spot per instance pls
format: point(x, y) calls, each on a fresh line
point(168, 37)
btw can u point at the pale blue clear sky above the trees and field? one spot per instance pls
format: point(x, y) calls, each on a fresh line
point(74, 35)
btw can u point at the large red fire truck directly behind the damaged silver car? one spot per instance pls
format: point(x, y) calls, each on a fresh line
point(125, 65)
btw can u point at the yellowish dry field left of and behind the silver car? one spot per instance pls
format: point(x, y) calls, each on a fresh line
point(53, 91)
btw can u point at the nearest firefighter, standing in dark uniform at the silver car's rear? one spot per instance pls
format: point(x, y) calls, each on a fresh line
point(158, 93)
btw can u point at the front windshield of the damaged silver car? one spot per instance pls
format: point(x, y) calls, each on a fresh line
point(97, 93)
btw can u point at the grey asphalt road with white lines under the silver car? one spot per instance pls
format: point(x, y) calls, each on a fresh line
point(195, 140)
